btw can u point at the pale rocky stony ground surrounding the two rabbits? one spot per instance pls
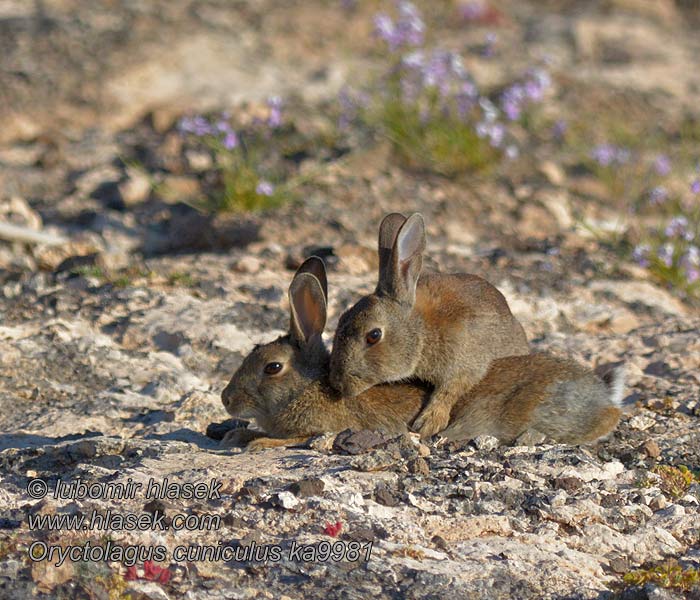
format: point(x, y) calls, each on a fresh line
point(116, 342)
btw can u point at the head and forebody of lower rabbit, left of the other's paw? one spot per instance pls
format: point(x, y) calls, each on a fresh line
point(284, 384)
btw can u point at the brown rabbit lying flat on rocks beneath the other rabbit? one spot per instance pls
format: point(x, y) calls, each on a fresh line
point(285, 386)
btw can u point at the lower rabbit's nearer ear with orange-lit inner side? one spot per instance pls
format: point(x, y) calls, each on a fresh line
point(307, 304)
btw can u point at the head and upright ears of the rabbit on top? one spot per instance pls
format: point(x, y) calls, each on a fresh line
point(379, 339)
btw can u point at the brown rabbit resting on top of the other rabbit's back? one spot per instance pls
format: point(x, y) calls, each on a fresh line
point(439, 328)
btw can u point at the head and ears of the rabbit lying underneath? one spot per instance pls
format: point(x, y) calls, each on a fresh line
point(273, 374)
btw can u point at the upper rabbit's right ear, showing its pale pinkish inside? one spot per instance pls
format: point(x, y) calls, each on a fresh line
point(401, 277)
